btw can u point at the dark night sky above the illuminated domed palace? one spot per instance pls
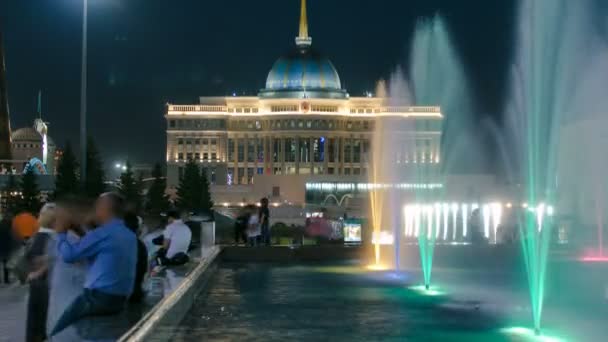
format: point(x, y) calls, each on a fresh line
point(145, 53)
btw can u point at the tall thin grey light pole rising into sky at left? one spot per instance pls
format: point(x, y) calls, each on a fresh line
point(83, 97)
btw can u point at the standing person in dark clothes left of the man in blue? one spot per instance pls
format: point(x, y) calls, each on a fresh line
point(38, 256)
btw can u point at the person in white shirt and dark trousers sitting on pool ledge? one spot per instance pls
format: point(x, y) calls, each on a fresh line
point(175, 242)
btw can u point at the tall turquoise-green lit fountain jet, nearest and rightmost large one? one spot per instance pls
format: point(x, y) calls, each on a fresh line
point(548, 69)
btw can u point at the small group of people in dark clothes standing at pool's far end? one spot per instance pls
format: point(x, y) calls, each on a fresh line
point(252, 225)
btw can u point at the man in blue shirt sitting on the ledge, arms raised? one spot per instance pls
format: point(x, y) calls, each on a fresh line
point(111, 250)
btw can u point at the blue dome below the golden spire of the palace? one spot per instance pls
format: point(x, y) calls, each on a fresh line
point(302, 73)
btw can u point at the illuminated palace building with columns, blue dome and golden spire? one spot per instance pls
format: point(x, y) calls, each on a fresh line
point(302, 127)
